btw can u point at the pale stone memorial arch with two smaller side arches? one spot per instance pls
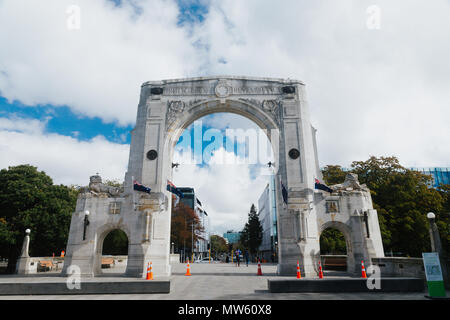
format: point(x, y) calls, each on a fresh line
point(165, 109)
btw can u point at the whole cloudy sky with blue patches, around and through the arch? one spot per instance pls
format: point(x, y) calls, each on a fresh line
point(377, 76)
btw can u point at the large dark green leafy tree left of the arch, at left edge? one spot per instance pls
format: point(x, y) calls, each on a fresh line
point(29, 199)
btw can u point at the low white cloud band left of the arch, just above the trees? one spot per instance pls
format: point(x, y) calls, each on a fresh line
point(65, 159)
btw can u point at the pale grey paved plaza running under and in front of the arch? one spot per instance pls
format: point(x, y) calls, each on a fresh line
point(215, 281)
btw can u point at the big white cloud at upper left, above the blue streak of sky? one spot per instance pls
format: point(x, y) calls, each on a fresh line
point(98, 69)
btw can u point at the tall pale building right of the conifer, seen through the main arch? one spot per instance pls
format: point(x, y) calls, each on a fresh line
point(267, 214)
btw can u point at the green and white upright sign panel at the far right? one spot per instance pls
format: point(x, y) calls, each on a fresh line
point(433, 273)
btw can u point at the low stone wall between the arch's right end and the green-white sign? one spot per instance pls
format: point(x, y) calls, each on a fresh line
point(400, 267)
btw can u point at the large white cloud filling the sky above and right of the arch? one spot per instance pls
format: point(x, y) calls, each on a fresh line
point(370, 92)
